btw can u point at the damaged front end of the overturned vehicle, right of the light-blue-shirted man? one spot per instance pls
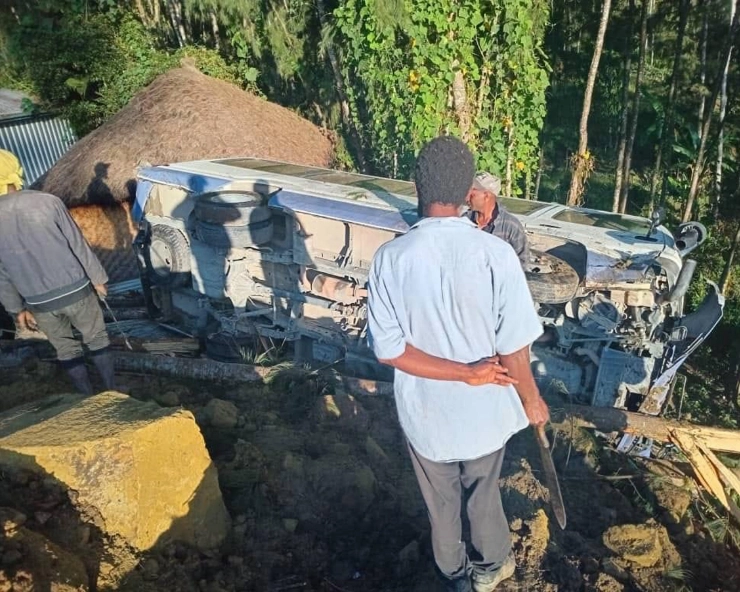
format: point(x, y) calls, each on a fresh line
point(615, 329)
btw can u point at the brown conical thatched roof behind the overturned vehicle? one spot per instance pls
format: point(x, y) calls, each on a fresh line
point(182, 115)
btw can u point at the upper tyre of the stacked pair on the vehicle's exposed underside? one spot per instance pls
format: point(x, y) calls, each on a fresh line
point(231, 209)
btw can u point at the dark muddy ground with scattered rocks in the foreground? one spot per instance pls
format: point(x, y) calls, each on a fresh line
point(323, 498)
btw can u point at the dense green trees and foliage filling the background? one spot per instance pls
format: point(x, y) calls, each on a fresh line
point(507, 75)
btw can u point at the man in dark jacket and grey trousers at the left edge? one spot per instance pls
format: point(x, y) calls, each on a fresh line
point(51, 280)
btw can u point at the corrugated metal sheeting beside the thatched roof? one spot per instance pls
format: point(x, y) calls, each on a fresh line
point(37, 140)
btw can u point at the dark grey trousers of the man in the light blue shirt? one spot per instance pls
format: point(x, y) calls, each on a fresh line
point(444, 486)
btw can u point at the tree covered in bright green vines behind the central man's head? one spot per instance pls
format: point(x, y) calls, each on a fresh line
point(474, 68)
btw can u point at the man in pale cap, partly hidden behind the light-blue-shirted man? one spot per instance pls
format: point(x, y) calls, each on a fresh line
point(489, 215)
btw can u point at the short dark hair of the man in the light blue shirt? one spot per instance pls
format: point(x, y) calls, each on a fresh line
point(445, 169)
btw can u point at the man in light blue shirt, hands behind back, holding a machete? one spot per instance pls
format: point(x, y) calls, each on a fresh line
point(450, 311)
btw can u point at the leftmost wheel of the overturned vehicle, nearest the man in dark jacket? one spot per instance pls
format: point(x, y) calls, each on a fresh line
point(168, 258)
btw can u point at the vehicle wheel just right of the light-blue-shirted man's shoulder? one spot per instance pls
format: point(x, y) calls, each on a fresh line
point(550, 279)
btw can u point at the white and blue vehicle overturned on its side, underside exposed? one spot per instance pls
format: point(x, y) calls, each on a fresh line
point(239, 250)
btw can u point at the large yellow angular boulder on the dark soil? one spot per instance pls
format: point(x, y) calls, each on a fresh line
point(139, 472)
